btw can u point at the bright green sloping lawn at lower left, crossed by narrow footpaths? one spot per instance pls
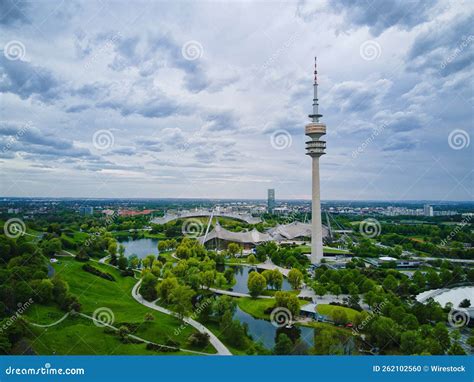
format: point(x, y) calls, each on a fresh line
point(97, 293)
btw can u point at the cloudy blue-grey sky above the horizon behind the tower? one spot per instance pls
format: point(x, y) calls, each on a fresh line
point(179, 99)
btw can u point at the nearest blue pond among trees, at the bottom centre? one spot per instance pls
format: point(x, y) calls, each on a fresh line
point(263, 331)
